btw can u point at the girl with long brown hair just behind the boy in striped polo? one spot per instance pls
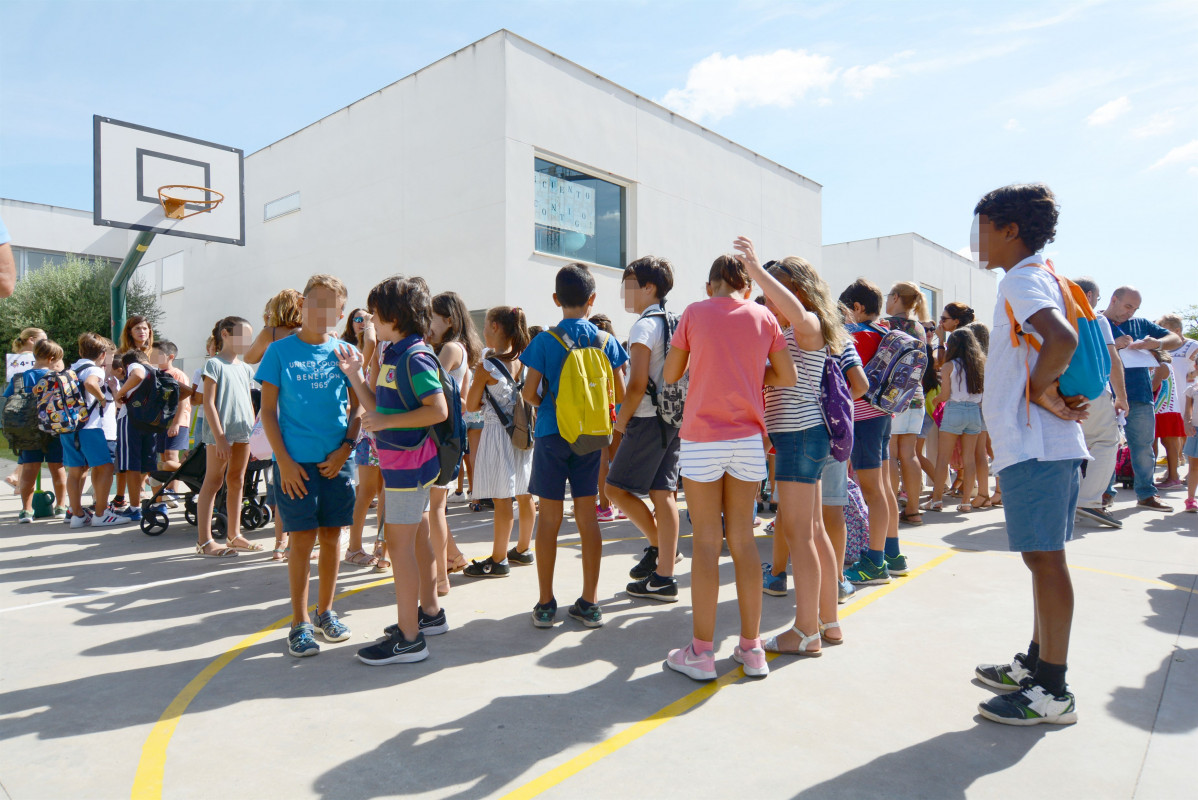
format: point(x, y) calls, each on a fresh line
point(459, 350)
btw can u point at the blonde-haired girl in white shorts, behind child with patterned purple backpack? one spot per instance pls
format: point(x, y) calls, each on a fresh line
point(906, 312)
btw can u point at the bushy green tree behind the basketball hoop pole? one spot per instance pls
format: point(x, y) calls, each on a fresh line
point(69, 301)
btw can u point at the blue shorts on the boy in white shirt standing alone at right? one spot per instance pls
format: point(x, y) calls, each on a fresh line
point(1037, 519)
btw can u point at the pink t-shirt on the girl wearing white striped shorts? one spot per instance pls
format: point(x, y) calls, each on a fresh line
point(730, 342)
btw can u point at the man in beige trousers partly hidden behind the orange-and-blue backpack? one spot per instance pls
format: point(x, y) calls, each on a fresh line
point(1102, 429)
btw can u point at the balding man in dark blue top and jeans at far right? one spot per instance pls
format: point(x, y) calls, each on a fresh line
point(1136, 338)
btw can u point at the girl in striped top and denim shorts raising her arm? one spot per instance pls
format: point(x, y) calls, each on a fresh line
point(814, 330)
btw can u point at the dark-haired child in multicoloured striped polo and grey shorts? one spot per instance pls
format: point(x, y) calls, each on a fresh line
point(408, 401)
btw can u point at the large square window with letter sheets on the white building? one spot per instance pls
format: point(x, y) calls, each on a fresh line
point(578, 216)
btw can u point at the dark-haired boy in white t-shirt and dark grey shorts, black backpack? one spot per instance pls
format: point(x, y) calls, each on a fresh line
point(648, 459)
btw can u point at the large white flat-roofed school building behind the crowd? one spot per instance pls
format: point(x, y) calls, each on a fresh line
point(486, 173)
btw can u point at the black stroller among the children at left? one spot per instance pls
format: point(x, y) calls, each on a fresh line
point(255, 511)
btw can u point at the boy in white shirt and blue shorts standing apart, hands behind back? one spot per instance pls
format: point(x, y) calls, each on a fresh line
point(1038, 444)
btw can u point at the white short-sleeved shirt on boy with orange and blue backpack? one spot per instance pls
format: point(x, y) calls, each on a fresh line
point(1013, 434)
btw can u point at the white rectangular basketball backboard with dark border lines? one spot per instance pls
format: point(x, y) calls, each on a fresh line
point(132, 162)
